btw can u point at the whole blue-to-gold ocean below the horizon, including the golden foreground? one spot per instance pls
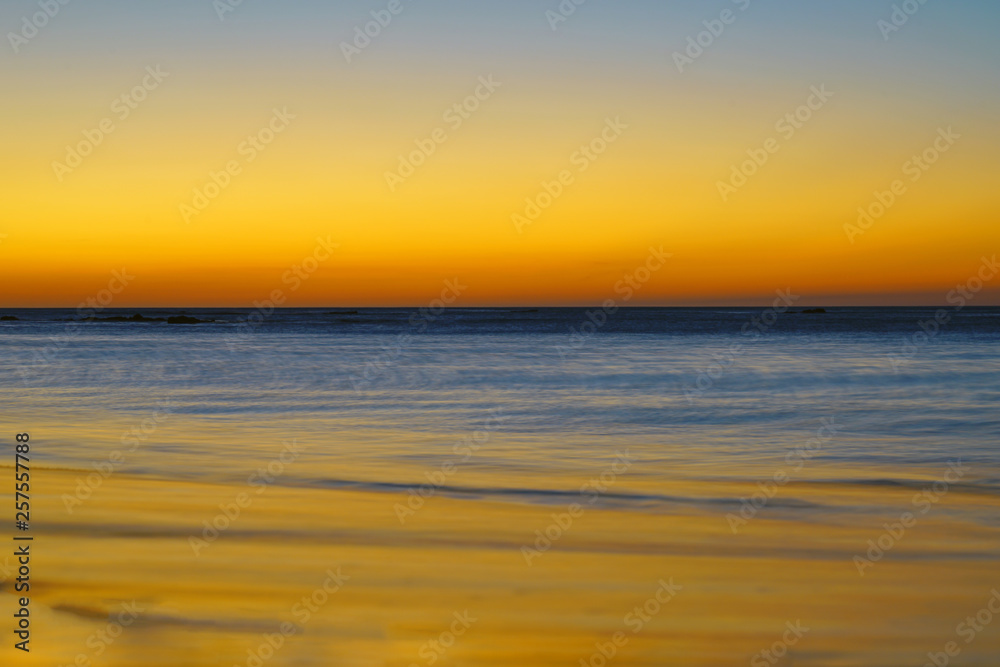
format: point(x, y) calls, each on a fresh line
point(544, 471)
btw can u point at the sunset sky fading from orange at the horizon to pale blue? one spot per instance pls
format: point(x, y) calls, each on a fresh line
point(222, 154)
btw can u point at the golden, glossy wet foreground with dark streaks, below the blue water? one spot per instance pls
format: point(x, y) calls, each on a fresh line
point(381, 591)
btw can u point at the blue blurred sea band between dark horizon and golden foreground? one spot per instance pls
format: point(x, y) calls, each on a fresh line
point(693, 392)
